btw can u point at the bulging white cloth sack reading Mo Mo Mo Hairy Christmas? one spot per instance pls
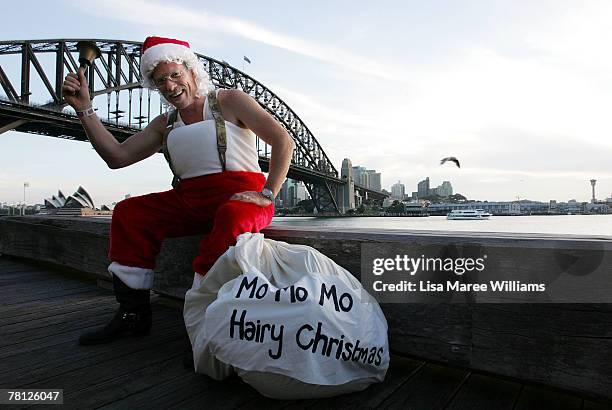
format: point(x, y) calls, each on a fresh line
point(266, 305)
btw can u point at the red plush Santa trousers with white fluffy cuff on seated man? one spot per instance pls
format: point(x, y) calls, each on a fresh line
point(199, 205)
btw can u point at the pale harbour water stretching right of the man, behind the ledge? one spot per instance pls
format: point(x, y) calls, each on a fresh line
point(591, 225)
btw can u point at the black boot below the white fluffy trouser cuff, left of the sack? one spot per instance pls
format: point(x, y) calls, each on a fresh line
point(133, 316)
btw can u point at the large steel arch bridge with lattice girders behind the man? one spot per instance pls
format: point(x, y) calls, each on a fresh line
point(32, 72)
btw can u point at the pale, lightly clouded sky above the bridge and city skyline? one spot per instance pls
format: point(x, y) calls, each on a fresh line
point(520, 91)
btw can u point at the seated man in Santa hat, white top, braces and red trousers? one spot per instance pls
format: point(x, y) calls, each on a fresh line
point(209, 140)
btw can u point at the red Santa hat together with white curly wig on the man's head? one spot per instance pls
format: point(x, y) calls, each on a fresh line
point(159, 49)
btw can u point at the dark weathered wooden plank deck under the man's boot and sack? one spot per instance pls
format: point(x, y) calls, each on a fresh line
point(40, 325)
